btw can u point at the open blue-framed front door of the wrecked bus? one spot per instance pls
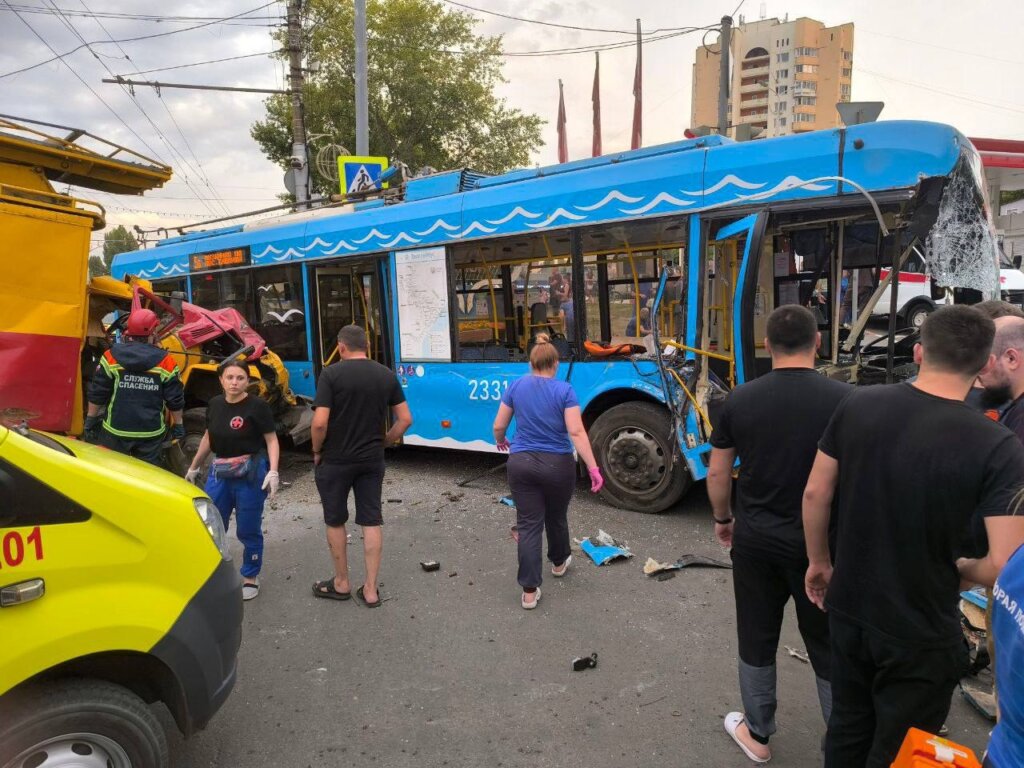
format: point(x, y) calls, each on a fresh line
point(731, 296)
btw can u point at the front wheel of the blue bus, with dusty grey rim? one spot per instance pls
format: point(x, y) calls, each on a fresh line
point(633, 445)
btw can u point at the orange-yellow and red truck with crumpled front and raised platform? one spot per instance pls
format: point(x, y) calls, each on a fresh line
point(52, 331)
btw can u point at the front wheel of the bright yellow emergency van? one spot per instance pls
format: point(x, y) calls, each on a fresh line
point(89, 723)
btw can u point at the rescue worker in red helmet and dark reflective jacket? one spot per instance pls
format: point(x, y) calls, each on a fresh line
point(134, 382)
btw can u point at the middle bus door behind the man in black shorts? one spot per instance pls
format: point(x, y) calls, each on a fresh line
point(350, 295)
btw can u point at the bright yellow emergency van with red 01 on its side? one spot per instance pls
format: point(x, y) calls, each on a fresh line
point(116, 591)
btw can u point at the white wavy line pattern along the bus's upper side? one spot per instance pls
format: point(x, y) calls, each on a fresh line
point(377, 240)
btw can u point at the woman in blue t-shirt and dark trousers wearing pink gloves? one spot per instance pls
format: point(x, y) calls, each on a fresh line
point(542, 468)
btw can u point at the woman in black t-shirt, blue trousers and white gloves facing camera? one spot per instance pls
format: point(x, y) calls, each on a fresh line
point(240, 432)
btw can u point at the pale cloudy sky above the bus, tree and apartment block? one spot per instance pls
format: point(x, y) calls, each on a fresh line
point(928, 61)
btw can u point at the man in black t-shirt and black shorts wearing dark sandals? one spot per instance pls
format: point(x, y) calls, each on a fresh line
point(352, 407)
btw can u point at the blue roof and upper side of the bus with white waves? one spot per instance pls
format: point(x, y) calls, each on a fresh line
point(682, 178)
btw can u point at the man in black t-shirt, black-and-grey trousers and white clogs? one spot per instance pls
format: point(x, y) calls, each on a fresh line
point(774, 425)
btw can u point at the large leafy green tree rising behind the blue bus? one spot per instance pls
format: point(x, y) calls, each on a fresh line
point(432, 92)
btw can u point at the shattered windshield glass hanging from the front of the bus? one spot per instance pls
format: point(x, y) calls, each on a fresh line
point(961, 248)
